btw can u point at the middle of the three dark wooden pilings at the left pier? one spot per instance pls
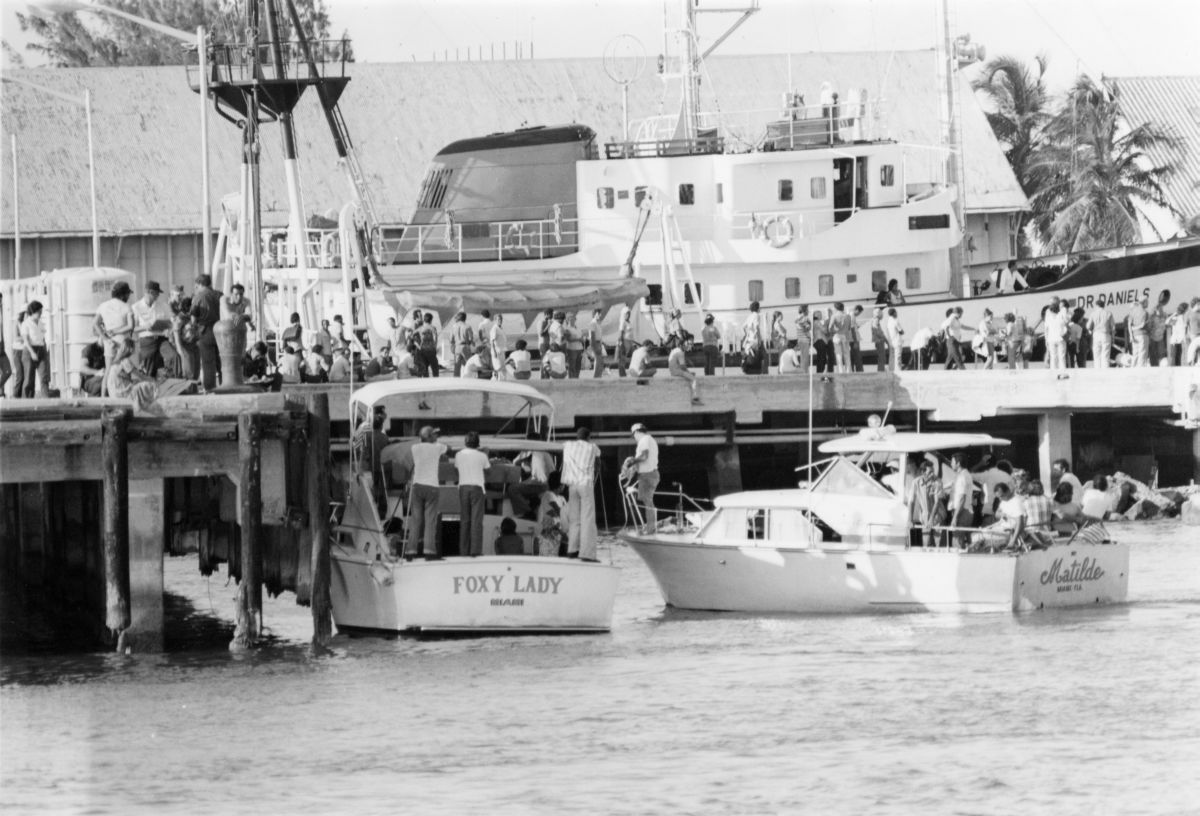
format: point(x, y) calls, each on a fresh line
point(249, 615)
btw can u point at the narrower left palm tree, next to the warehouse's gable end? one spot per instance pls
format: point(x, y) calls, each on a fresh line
point(1019, 101)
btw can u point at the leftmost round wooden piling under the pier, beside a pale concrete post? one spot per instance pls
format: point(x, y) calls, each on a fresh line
point(116, 463)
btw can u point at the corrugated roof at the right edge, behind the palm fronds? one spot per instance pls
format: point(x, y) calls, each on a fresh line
point(1174, 104)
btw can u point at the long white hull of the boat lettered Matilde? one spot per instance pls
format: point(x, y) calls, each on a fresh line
point(767, 580)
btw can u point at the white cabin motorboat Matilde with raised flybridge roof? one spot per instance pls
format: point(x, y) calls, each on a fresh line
point(842, 544)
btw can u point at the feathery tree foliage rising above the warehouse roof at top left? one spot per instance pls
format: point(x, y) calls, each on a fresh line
point(95, 39)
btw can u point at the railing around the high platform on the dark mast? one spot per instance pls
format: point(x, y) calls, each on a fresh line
point(235, 63)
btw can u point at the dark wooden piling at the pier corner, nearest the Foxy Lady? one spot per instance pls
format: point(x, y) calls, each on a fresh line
point(317, 483)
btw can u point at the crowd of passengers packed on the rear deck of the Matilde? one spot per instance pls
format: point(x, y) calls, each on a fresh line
point(994, 506)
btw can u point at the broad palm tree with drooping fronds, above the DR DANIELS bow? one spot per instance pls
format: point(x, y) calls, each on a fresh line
point(1091, 170)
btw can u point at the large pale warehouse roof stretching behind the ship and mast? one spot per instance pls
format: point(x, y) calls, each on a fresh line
point(147, 130)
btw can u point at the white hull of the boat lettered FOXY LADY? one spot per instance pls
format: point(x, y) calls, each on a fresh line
point(488, 595)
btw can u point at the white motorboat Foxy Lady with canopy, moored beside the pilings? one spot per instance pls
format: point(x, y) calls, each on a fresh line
point(375, 590)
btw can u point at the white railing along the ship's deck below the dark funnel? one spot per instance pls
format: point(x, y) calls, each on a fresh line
point(494, 241)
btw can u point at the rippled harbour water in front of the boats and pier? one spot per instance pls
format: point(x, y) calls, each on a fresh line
point(1081, 712)
